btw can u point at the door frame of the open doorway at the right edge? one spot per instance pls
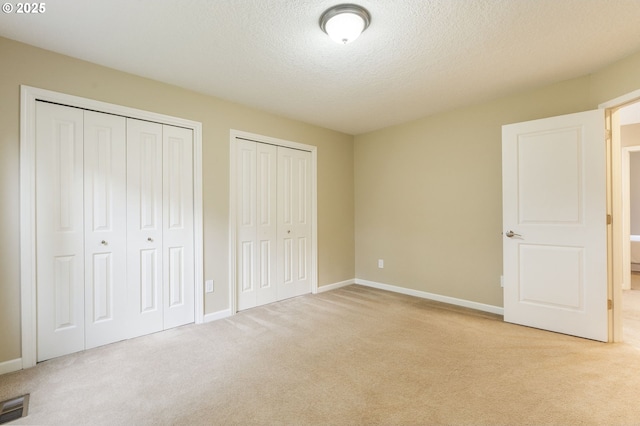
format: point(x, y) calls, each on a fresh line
point(615, 208)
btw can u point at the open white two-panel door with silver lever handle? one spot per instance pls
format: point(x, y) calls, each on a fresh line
point(554, 220)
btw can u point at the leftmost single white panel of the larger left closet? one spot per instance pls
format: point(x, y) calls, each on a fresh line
point(60, 230)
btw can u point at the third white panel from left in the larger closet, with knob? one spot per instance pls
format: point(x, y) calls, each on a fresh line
point(144, 227)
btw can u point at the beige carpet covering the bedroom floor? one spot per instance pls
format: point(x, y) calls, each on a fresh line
point(353, 356)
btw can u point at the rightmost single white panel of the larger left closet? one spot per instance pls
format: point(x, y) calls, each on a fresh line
point(178, 238)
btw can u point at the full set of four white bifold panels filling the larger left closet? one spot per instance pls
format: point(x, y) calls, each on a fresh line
point(115, 235)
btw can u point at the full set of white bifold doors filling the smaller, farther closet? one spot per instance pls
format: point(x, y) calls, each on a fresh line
point(273, 223)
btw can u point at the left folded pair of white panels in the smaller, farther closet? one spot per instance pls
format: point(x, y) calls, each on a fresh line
point(256, 223)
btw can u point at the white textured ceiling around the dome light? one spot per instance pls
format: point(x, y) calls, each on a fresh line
point(417, 58)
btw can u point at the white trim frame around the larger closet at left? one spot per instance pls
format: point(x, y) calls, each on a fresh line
point(28, 97)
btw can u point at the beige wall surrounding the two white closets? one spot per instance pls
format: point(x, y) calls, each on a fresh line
point(22, 64)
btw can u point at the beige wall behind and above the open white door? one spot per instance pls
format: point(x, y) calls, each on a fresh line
point(428, 192)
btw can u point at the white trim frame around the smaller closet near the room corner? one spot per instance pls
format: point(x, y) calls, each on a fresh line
point(233, 134)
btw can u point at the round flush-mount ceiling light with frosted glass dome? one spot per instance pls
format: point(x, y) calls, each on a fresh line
point(345, 22)
